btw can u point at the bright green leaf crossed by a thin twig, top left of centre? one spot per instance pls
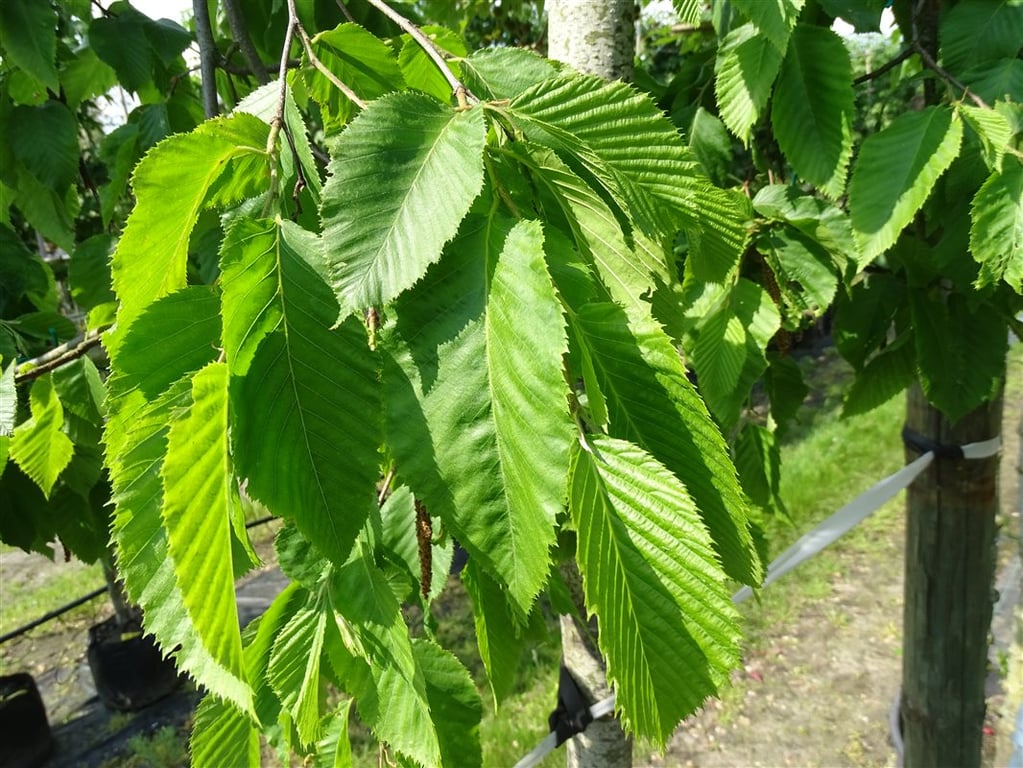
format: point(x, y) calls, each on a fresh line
point(363, 62)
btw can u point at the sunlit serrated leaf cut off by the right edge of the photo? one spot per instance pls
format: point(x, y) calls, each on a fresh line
point(997, 232)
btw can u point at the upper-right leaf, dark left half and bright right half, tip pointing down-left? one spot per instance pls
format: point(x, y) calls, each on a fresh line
point(897, 171)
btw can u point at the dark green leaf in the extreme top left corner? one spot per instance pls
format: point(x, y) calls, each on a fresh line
point(28, 34)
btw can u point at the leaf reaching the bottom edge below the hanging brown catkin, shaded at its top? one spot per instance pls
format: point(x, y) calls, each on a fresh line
point(375, 660)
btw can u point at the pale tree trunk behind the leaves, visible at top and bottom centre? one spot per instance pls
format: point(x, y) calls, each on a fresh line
point(597, 37)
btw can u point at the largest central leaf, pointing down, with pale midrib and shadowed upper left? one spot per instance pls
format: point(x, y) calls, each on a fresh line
point(478, 418)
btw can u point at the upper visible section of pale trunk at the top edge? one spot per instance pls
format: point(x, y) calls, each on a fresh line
point(597, 37)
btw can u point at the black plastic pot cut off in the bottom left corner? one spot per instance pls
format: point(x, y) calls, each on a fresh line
point(26, 740)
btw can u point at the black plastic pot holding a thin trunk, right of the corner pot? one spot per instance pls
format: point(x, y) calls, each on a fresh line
point(128, 669)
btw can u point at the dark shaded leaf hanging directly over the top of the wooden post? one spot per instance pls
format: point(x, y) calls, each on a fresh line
point(961, 353)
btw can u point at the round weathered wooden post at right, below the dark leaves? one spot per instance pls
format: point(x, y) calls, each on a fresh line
point(950, 572)
